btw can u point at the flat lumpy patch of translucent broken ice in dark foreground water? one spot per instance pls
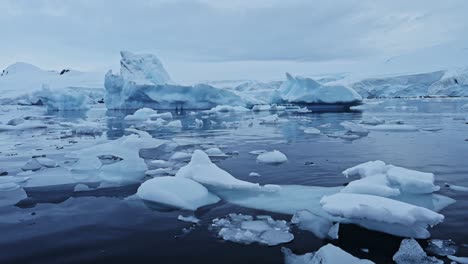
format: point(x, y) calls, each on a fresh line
point(246, 229)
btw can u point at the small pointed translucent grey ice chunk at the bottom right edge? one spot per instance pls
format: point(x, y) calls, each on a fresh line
point(411, 252)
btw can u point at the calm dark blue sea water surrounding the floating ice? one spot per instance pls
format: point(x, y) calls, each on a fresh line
point(57, 225)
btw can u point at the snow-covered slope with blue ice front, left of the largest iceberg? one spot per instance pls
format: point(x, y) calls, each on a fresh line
point(23, 83)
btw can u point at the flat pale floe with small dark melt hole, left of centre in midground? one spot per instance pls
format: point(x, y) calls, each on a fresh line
point(128, 168)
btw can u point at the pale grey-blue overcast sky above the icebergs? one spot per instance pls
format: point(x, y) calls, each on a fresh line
point(226, 39)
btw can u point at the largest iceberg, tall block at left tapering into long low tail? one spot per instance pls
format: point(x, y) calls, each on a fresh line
point(143, 82)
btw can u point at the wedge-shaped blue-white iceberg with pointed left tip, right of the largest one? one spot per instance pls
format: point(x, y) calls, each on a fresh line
point(307, 91)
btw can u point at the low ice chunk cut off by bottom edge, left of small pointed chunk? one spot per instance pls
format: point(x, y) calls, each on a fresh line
point(328, 254)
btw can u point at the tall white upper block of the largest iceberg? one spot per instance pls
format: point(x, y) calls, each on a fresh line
point(143, 69)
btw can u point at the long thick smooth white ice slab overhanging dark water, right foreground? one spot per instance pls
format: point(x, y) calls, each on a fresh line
point(373, 212)
